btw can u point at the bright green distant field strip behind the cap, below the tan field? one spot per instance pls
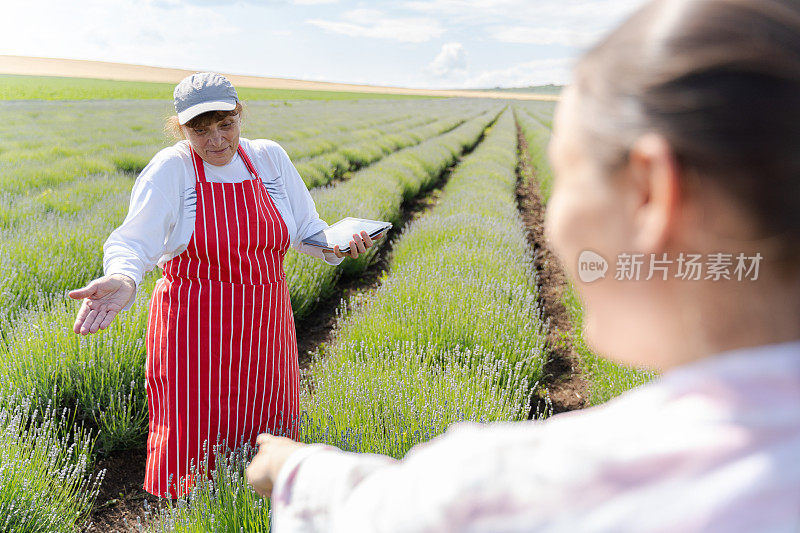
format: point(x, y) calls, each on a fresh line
point(15, 87)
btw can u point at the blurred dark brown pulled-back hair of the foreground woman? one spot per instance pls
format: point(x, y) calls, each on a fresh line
point(720, 80)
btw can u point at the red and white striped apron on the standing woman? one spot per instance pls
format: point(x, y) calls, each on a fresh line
point(221, 348)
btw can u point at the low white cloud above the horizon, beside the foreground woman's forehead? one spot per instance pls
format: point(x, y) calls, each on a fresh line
point(535, 72)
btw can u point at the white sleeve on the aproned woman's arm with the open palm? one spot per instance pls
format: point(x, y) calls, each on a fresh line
point(133, 249)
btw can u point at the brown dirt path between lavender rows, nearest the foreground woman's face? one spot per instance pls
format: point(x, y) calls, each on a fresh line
point(563, 388)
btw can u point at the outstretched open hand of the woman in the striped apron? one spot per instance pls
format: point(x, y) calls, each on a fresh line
point(103, 299)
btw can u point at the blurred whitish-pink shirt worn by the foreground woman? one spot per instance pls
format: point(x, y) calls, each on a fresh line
point(711, 446)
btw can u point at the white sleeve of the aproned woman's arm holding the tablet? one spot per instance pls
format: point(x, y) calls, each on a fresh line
point(303, 209)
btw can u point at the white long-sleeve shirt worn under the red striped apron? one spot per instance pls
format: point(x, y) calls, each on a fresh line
point(161, 215)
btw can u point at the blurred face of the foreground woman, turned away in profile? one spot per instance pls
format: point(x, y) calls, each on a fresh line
point(589, 220)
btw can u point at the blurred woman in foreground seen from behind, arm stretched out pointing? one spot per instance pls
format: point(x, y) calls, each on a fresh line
point(677, 145)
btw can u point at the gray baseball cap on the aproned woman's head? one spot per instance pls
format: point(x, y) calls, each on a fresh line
point(201, 92)
